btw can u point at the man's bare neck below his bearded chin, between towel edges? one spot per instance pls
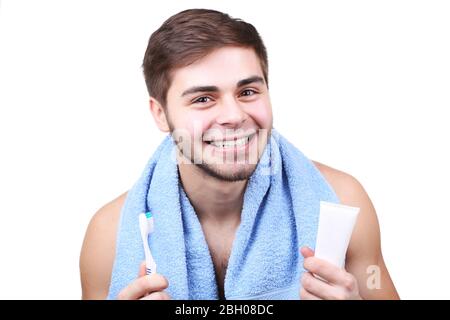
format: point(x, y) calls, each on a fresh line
point(216, 201)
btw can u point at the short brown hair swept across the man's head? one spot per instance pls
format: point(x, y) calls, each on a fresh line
point(190, 35)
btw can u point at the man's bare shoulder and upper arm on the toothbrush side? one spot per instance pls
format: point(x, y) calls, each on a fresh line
point(98, 250)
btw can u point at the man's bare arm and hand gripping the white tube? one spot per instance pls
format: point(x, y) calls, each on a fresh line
point(363, 255)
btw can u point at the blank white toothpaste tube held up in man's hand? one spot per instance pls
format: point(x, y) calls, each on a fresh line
point(336, 222)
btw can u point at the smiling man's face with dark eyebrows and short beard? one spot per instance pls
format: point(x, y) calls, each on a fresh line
point(219, 113)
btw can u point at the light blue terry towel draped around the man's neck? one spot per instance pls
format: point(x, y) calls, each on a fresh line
point(280, 214)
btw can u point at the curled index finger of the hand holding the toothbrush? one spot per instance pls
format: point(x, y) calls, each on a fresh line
point(142, 286)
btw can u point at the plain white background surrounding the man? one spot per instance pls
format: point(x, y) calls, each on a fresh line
point(363, 86)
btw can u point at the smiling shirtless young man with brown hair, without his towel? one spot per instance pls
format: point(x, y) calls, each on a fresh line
point(207, 75)
